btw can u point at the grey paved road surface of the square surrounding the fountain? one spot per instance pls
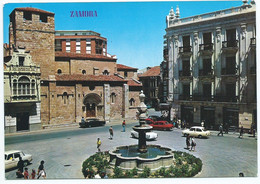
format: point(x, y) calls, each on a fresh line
point(64, 151)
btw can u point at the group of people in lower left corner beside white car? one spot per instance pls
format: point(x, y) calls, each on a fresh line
point(24, 173)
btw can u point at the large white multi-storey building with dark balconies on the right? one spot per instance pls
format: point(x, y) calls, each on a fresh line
point(212, 66)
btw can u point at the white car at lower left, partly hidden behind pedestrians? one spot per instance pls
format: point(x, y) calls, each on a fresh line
point(12, 158)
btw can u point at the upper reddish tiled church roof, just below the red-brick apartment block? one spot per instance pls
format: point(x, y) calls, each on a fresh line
point(72, 55)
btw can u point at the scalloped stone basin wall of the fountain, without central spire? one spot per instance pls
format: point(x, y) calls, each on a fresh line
point(130, 162)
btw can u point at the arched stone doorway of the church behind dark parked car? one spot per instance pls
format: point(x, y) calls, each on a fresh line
point(91, 101)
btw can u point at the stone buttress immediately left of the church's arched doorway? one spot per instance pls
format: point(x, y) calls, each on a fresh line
point(78, 102)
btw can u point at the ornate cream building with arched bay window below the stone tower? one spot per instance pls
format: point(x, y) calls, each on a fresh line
point(22, 92)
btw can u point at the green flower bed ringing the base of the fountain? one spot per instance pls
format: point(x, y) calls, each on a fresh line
point(184, 165)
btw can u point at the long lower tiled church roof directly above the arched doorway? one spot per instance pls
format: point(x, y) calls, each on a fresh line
point(81, 77)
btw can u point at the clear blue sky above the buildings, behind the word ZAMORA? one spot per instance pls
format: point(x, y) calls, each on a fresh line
point(134, 30)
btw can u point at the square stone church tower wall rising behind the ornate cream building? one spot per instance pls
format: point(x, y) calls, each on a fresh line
point(38, 37)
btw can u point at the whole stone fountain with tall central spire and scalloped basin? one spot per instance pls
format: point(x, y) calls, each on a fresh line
point(141, 155)
